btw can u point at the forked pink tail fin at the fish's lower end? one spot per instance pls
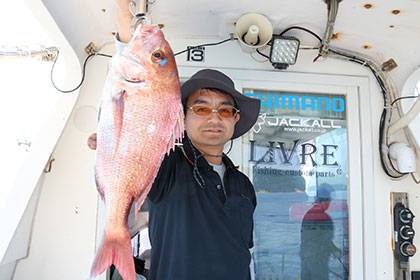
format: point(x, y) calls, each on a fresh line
point(116, 251)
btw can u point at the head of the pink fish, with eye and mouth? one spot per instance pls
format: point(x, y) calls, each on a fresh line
point(149, 50)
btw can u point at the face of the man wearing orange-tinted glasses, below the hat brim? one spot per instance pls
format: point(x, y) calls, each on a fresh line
point(211, 130)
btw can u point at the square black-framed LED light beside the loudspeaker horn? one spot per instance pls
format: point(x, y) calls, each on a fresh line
point(284, 51)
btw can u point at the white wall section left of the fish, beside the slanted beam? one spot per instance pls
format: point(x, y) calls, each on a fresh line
point(63, 238)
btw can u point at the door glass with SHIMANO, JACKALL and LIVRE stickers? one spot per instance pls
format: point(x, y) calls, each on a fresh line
point(298, 165)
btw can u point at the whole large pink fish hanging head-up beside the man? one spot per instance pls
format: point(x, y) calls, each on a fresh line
point(141, 120)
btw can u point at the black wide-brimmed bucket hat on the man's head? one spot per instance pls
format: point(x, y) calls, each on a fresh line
point(249, 108)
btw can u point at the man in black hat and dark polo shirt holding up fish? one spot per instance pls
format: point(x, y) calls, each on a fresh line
point(200, 206)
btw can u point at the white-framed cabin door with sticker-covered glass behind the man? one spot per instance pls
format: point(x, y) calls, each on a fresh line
point(304, 158)
